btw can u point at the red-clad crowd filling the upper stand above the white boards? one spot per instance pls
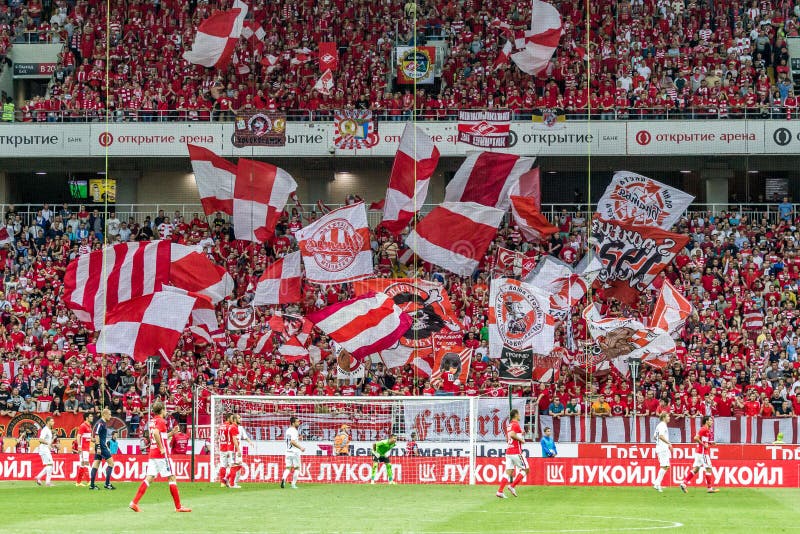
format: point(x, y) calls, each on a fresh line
point(654, 59)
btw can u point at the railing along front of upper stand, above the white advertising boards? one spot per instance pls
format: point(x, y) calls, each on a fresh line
point(442, 115)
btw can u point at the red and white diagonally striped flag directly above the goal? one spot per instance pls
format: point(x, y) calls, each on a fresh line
point(364, 325)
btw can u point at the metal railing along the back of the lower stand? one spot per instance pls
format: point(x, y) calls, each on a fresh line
point(752, 211)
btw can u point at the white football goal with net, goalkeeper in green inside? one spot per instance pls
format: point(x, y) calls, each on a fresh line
point(438, 438)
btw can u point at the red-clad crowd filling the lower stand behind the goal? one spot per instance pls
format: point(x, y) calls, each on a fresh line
point(736, 356)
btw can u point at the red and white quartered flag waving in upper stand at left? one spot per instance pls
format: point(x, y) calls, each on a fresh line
point(216, 39)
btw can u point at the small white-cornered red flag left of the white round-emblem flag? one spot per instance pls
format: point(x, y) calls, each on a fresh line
point(195, 273)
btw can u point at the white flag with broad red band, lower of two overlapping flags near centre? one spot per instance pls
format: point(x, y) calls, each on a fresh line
point(455, 235)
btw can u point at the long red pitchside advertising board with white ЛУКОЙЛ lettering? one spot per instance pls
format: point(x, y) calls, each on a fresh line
point(433, 470)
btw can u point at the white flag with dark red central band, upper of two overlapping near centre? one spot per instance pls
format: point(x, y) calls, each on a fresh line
point(487, 178)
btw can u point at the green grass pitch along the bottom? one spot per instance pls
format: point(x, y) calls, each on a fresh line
point(383, 509)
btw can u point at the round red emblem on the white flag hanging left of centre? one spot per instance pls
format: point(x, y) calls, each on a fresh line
point(335, 245)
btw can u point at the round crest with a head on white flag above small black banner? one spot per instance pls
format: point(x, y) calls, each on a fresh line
point(519, 316)
